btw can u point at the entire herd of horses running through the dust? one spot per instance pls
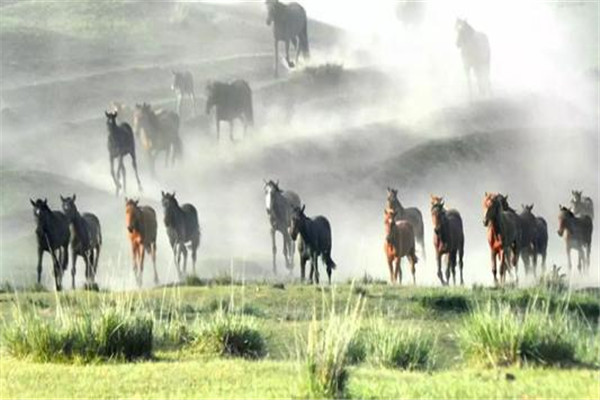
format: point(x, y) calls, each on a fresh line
point(511, 235)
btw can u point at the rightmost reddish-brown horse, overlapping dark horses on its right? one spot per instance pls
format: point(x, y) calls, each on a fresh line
point(502, 233)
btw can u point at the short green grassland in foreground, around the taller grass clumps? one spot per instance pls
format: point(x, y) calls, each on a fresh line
point(282, 315)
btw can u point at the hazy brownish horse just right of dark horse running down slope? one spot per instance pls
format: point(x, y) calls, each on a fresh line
point(158, 131)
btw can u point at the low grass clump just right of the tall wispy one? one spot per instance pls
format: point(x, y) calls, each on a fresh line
point(404, 347)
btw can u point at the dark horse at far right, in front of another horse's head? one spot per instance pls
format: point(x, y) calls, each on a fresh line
point(577, 232)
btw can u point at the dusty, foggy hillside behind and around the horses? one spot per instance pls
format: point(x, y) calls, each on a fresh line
point(399, 116)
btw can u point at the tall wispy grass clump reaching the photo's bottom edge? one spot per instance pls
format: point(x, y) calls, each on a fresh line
point(327, 351)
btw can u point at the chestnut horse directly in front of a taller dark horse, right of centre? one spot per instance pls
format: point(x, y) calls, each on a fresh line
point(399, 242)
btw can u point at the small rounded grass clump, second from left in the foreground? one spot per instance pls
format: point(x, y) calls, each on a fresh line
point(230, 334)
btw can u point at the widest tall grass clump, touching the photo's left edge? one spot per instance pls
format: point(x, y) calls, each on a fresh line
point(113, 332)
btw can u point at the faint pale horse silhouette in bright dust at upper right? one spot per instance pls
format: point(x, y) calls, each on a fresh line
point(476, 55)
